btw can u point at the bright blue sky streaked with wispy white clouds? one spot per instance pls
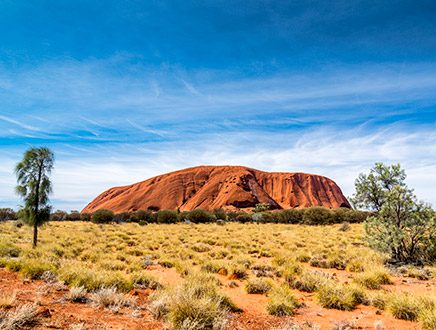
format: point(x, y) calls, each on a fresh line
point(124, 90)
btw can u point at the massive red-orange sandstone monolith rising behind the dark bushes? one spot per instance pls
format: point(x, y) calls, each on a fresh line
point(228, 187)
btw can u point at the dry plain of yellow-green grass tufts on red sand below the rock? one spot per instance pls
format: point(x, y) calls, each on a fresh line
point(198, 275)
